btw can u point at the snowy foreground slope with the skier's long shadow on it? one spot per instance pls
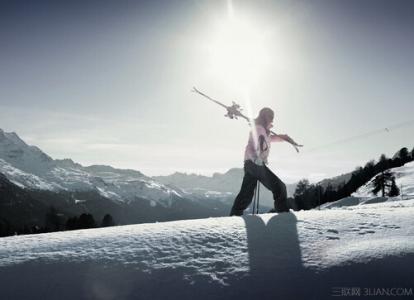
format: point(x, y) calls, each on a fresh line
point(302, 255)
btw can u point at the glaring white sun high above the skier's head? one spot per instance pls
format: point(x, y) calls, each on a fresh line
point(238, 53)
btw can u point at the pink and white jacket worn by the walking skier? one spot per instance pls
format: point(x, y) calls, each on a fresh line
point(256, 152)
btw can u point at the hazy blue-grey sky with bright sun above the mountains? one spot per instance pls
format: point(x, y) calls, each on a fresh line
point(108, 82)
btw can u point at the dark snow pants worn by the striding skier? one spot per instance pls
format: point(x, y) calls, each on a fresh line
point(252, 173)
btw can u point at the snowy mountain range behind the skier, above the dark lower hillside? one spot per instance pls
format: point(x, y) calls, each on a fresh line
point(30, 168)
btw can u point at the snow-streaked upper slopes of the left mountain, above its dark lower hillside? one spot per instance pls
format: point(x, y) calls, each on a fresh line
point(28, 167)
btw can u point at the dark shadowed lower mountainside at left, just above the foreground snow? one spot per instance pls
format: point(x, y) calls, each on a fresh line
point(27, 210)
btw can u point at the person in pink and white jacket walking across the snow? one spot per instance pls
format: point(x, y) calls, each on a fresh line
point(255, 160)
